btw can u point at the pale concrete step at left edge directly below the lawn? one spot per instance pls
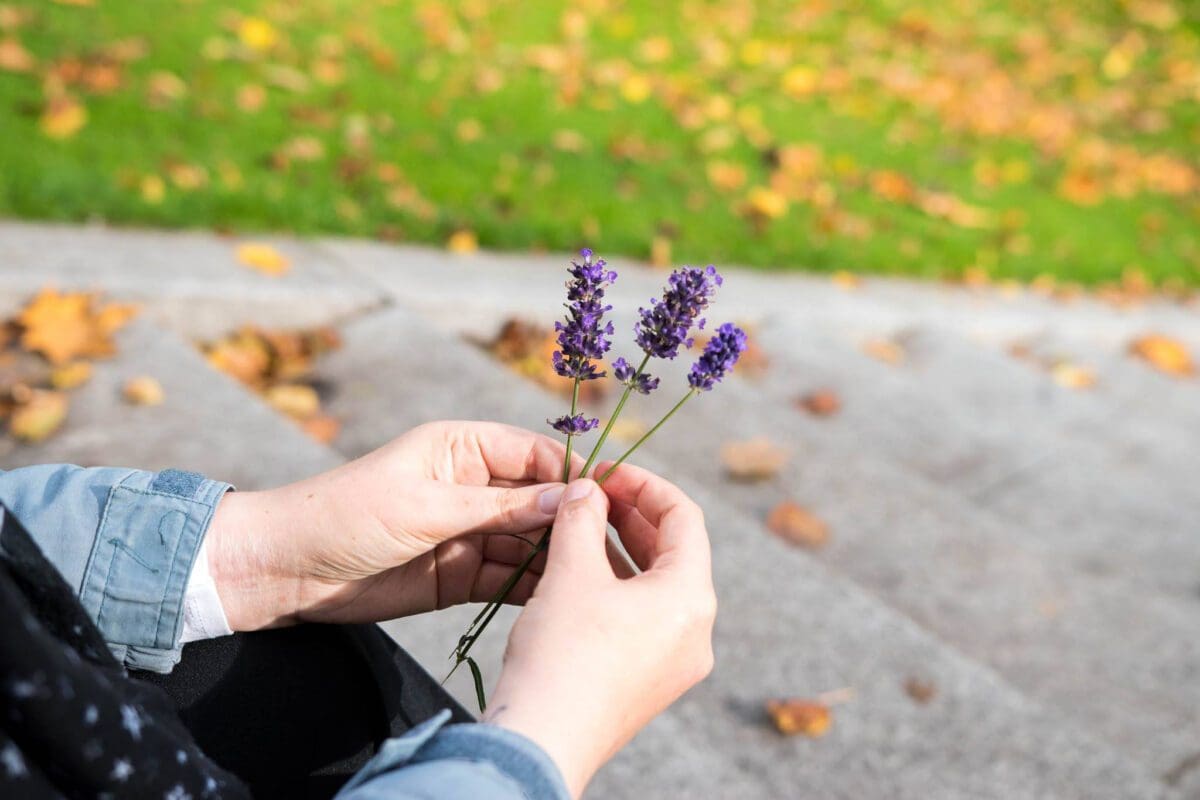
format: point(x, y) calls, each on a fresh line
point(189, 282)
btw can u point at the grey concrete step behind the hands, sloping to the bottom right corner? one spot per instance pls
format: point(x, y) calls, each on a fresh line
point(788, 627)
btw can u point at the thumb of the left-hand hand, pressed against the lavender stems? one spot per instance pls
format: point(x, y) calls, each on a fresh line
point(454, 510)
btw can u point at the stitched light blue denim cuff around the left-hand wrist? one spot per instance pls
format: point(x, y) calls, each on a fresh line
point(151, 531)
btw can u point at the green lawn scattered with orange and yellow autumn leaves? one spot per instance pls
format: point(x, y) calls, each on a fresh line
point(1011, 139)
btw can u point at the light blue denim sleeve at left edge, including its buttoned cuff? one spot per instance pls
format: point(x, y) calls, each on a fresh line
point(125, 539)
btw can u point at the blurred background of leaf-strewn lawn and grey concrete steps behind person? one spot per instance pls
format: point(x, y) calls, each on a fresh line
point(952, 490)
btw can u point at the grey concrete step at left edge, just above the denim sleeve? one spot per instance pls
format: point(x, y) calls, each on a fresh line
point(208, 423)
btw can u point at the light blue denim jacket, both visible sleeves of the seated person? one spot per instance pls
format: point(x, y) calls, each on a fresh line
point(125, 539)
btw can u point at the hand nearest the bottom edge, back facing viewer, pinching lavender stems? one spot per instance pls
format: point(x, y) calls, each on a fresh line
point(595, 658)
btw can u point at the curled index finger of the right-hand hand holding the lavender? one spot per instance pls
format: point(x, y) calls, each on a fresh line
point(680, 540)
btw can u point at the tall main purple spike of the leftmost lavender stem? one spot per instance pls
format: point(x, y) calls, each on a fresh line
point(581, 339)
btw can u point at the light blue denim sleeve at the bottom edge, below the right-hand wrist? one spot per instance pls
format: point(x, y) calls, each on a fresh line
point(459, 762)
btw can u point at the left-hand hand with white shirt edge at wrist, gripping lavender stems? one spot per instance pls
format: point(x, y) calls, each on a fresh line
point(428, 521)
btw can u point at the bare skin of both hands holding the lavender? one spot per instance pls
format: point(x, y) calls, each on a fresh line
point(434, 519)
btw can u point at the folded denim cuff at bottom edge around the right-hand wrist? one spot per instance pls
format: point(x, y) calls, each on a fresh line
point(514, 757)
